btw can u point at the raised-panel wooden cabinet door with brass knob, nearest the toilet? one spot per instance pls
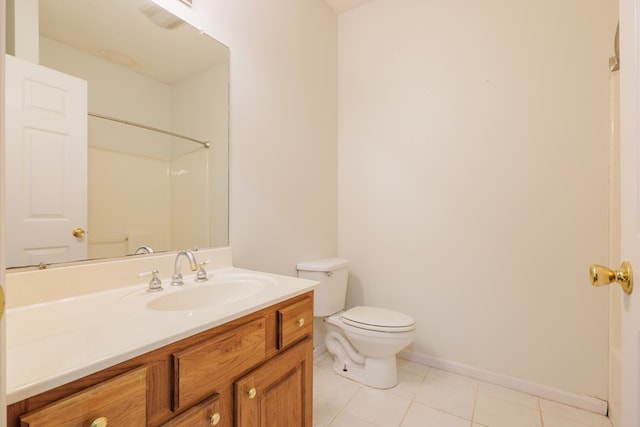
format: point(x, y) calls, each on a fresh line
point(280, 392)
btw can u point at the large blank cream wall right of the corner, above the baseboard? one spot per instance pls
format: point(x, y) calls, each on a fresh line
point(473, 165)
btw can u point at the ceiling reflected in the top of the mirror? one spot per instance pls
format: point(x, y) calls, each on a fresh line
point(119, 31)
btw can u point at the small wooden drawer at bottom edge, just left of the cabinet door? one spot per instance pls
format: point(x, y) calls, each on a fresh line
point(214, 411)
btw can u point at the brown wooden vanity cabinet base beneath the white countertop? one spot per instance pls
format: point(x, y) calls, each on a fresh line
point(205, 379)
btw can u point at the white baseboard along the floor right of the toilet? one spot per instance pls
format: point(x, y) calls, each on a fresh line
point(587, 403)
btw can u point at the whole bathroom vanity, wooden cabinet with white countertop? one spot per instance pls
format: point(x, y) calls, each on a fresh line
point(247, 362)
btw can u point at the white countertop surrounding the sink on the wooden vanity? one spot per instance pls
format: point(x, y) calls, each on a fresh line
point(52, 343)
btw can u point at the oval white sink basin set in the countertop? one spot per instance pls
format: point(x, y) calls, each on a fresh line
point(200, 296)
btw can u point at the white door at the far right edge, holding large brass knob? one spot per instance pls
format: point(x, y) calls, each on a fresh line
point(630, 206)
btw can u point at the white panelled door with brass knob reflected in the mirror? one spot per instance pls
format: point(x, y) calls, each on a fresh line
point(46, 170)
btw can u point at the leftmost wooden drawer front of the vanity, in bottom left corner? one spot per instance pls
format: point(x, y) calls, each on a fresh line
point(120, 401)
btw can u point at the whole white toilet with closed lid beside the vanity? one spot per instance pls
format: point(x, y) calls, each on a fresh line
point(363, 340)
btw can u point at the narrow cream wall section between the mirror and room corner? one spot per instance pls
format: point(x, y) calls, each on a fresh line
point(283, 126)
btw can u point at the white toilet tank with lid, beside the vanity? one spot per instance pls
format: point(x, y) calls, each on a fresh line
point(332, 273)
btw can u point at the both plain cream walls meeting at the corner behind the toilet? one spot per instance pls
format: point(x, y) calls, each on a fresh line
point(473, 138)
